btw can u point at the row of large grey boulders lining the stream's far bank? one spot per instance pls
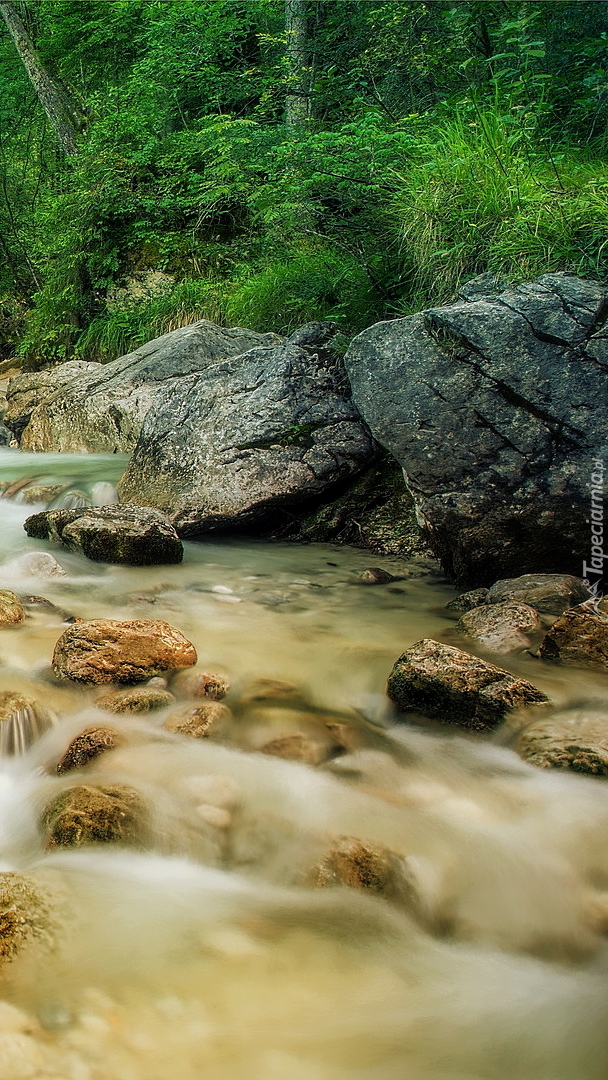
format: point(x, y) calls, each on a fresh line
point(491, 406)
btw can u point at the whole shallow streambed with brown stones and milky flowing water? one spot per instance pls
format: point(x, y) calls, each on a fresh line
point(248, 860)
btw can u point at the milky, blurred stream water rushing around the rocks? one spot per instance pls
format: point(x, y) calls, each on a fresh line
point(208, 953)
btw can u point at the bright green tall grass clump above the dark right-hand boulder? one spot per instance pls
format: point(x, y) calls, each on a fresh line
point(480, 196)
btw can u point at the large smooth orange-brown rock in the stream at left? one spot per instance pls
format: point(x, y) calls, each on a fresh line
point(104, 651)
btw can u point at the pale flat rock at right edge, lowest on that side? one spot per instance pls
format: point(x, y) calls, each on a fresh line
point(573, 739)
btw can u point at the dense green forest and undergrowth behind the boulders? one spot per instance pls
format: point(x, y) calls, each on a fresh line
point(264, 164)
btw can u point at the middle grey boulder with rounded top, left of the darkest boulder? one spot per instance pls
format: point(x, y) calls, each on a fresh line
point(258, 433)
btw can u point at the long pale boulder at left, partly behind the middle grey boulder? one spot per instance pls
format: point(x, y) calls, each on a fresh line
point(83, 407)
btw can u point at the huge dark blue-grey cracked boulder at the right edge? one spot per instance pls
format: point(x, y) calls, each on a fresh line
point(495, 409)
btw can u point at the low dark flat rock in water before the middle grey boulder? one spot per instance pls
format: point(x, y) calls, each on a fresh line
point(134, 536)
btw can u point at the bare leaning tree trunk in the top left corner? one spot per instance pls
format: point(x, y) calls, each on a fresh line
point(66, 118)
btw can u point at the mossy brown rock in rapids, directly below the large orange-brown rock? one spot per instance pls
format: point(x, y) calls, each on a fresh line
point(88, 815)
